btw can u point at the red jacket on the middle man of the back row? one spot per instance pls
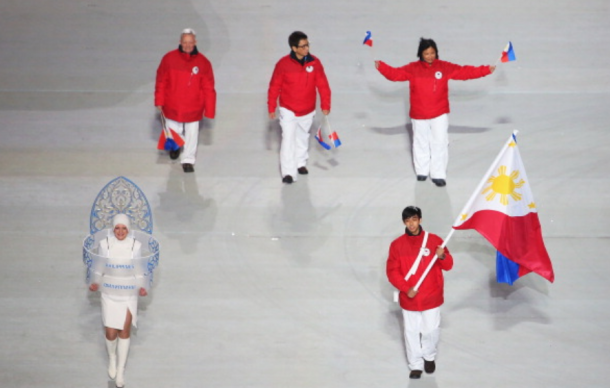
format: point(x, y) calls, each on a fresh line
point(296, 85)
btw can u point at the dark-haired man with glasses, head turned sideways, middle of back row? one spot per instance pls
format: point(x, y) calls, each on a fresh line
point(295, 80)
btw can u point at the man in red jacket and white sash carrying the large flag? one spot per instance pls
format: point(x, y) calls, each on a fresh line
point(408, 258)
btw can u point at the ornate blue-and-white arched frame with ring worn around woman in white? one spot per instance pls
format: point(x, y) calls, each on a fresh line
point(121, 276)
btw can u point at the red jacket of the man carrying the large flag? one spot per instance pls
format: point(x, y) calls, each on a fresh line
point(403, 252)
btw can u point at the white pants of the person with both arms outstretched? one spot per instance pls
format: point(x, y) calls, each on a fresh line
point(431, 146)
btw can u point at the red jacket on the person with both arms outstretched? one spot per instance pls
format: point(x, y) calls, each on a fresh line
point(429, 84)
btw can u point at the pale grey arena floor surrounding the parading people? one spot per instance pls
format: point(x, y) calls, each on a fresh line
point(264, 285)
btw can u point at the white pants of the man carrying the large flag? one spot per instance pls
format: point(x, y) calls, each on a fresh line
point(422, 333)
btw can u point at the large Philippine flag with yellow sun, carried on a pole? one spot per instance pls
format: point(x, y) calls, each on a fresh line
point(503, 210)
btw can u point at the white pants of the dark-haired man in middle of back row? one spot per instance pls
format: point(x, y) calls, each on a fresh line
point(295, 141)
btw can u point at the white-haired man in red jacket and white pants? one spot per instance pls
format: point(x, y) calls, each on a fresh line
point(184, 93)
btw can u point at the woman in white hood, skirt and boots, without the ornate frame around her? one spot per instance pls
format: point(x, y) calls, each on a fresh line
point(119, 312)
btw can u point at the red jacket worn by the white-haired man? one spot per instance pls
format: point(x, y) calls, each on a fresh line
point(185, 87)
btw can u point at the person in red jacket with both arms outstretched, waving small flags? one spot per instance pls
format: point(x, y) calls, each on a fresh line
point(429, 96)
